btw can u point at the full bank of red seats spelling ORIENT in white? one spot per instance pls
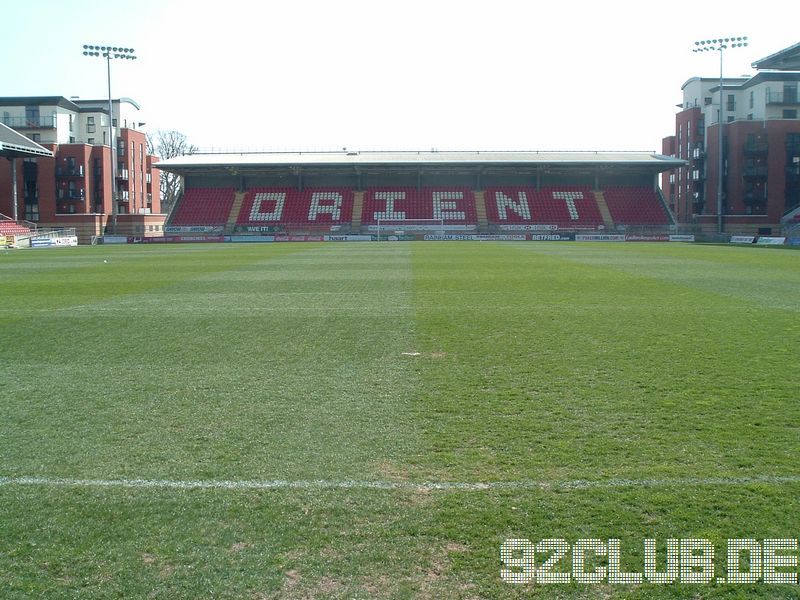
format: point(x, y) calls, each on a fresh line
point(567, 207)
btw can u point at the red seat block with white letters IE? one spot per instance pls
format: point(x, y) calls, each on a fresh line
point(453, 205)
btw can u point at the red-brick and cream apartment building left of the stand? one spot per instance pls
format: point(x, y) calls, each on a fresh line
point(75, 188)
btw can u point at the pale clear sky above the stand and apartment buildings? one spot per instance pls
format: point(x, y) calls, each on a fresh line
point(411, 75)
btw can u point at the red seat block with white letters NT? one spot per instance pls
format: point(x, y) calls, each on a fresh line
point(567, 207)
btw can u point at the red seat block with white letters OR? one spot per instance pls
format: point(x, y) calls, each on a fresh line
point(313, 208)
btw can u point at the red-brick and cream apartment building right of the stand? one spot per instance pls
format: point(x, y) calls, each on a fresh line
point(760, 148)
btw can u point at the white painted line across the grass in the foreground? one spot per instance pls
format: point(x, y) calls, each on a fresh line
point(277, 484)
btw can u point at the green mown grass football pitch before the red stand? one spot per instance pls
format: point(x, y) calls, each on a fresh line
point(531, 366)
